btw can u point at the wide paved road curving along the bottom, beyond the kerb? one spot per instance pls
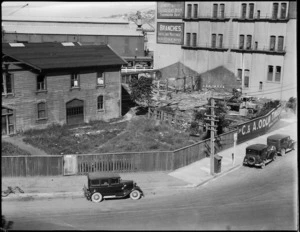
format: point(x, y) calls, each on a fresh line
point(245, 199)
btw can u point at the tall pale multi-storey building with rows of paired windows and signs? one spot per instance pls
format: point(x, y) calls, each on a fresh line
point(255, 40)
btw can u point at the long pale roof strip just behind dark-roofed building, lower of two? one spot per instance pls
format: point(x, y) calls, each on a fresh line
point(71, 30)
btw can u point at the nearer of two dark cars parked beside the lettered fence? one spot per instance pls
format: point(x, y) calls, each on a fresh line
point(259, 155)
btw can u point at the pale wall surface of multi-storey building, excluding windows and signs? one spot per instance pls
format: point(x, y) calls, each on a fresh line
point(257, 63)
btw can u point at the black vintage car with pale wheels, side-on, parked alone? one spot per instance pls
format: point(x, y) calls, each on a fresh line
point(103, 185)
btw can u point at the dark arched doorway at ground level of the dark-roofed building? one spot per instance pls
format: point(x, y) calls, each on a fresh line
point(75, 111)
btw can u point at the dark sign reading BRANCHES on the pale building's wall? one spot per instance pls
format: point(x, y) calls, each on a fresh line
point(170, 33)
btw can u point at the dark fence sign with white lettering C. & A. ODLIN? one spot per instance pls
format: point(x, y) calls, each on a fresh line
point(259, 126)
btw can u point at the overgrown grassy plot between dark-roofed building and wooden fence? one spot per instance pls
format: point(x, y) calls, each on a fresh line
point(139, 134)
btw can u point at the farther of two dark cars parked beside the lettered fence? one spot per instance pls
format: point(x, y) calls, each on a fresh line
point(281, 142)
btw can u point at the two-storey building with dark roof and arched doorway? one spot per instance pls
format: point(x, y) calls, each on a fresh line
point(45, 83)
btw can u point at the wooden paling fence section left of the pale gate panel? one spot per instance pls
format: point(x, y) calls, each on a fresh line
point(32, 165)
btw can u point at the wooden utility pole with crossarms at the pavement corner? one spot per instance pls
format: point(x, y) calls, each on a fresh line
point(212, 129)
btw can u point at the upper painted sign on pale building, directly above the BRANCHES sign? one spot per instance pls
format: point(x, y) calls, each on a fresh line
point(170, 10)
